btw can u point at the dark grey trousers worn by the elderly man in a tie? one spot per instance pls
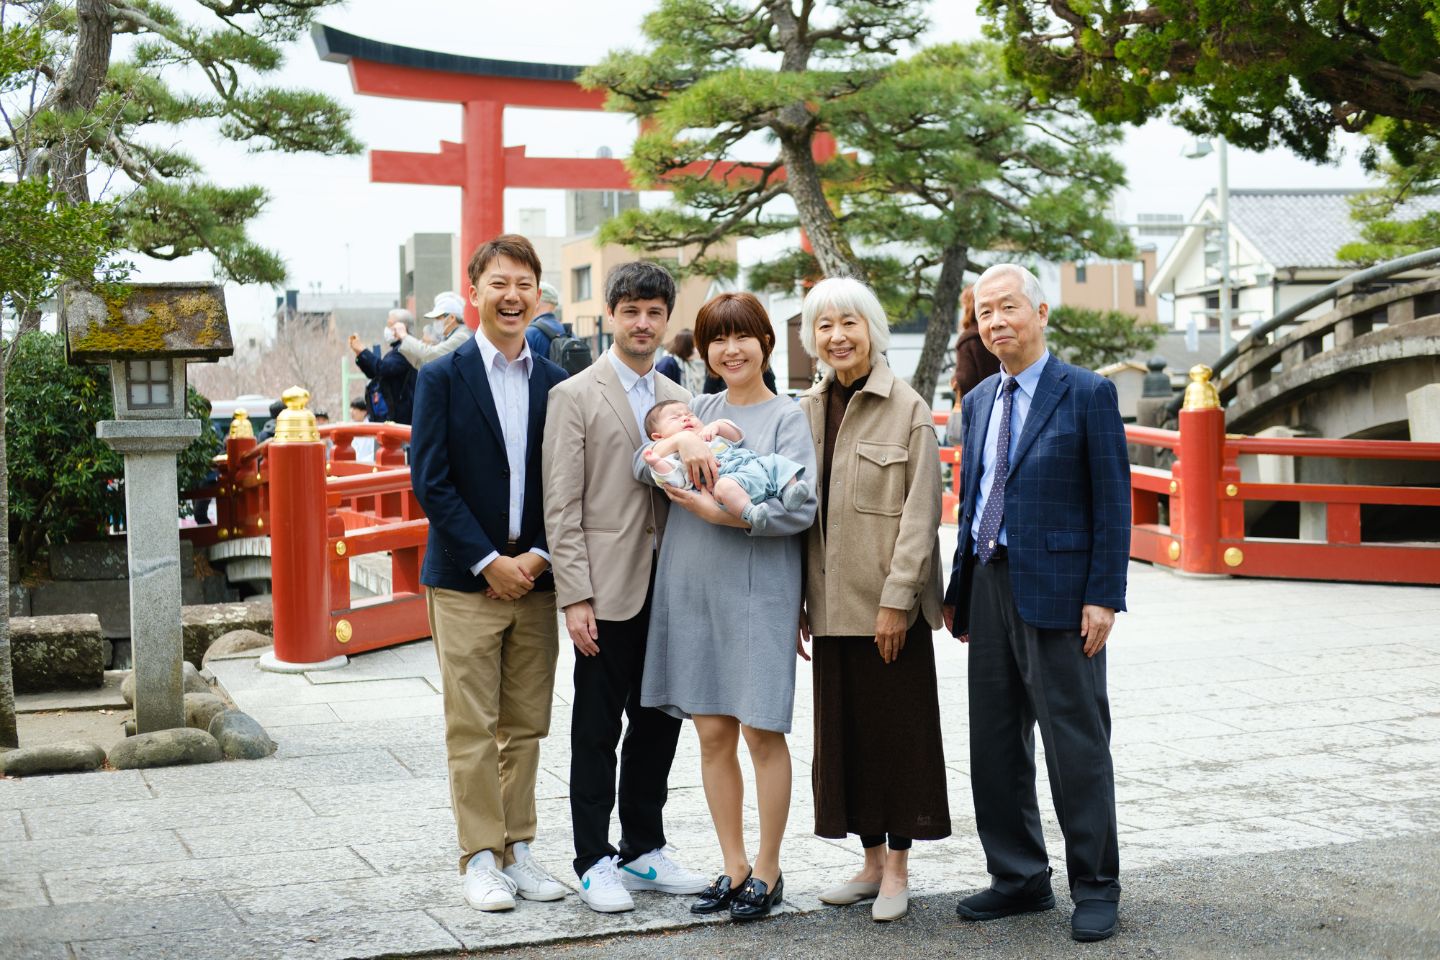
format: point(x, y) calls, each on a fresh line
point(1020, 677)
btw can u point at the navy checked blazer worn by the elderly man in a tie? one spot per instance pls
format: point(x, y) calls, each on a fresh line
point(1068, 500)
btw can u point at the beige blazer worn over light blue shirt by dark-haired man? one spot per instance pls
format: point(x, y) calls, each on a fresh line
point(603, 526)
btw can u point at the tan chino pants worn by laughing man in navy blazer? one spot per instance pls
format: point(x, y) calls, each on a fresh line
point(498, 673)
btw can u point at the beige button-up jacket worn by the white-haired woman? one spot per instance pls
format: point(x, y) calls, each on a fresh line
point(881, 545)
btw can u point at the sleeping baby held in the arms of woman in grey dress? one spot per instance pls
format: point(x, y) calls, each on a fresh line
point(747, 480)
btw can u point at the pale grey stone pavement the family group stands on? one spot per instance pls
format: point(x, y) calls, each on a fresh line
point(1251, 717)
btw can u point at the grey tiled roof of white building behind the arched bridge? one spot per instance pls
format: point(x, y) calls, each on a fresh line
point(1298, 228)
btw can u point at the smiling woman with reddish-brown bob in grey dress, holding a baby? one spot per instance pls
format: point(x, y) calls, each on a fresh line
point(722, 630)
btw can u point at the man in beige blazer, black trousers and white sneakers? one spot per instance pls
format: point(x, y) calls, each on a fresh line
point(604, 532)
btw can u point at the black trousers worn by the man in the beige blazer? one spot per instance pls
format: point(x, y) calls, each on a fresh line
point(607, 687)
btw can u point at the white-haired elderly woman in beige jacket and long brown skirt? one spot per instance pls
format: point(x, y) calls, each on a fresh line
point(872, 599)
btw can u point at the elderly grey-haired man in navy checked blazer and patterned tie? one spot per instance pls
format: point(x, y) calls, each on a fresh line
point(1038, 579)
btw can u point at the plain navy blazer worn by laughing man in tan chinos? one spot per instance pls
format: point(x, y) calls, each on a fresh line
point(462, 473)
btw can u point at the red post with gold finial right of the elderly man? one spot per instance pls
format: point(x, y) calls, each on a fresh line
point(1199, 471)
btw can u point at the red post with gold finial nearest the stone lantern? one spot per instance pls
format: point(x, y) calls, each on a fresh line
point(297, 476)
